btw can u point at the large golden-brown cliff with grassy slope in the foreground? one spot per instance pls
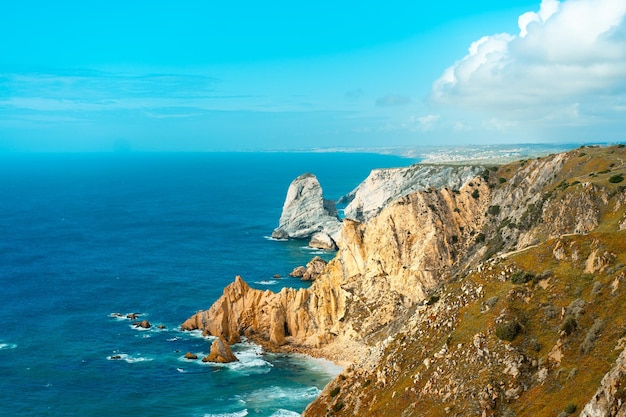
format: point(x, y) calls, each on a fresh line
point(500, 297)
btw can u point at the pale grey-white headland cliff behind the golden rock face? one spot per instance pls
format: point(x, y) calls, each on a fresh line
point(383, 186)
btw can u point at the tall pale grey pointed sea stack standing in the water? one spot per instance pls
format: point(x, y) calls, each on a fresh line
point(306, 212)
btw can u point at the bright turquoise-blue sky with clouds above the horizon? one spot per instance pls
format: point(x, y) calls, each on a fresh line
point(200, 75)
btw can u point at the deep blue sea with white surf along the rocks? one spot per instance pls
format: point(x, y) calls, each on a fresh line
point(86, 235)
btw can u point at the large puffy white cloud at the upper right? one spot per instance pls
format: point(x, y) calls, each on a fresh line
point(567, 63)
